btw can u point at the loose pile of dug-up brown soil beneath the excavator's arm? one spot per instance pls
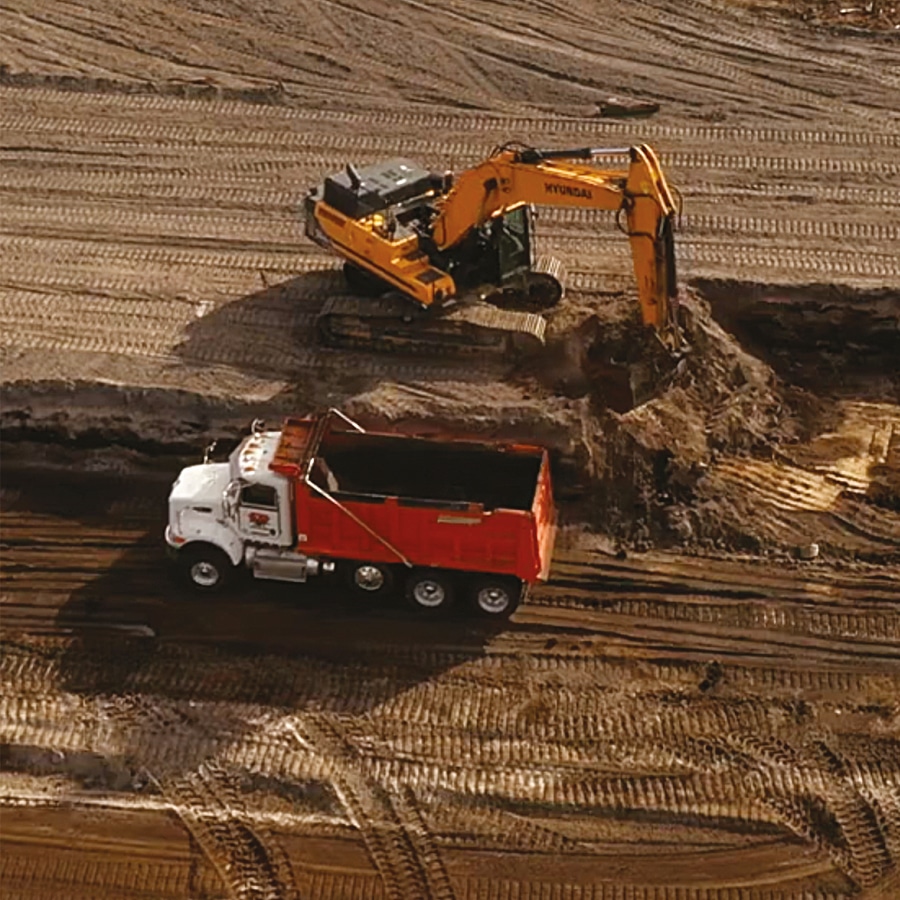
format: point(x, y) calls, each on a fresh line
point(631, 472)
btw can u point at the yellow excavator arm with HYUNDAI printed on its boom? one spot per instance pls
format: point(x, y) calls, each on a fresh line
point(515, 176)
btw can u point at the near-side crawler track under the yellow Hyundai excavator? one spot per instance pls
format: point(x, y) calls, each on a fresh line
point(393, 324)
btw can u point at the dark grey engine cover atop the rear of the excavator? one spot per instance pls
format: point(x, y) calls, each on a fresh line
point(359, 193)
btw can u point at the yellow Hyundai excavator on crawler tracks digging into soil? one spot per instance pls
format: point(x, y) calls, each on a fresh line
point(439, 263)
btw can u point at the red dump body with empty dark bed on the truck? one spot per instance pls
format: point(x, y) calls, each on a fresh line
point(443, 503)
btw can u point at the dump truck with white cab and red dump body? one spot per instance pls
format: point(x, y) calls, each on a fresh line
point(442, 519)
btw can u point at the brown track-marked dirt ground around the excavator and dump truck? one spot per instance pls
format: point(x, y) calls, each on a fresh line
point(703, 703)
